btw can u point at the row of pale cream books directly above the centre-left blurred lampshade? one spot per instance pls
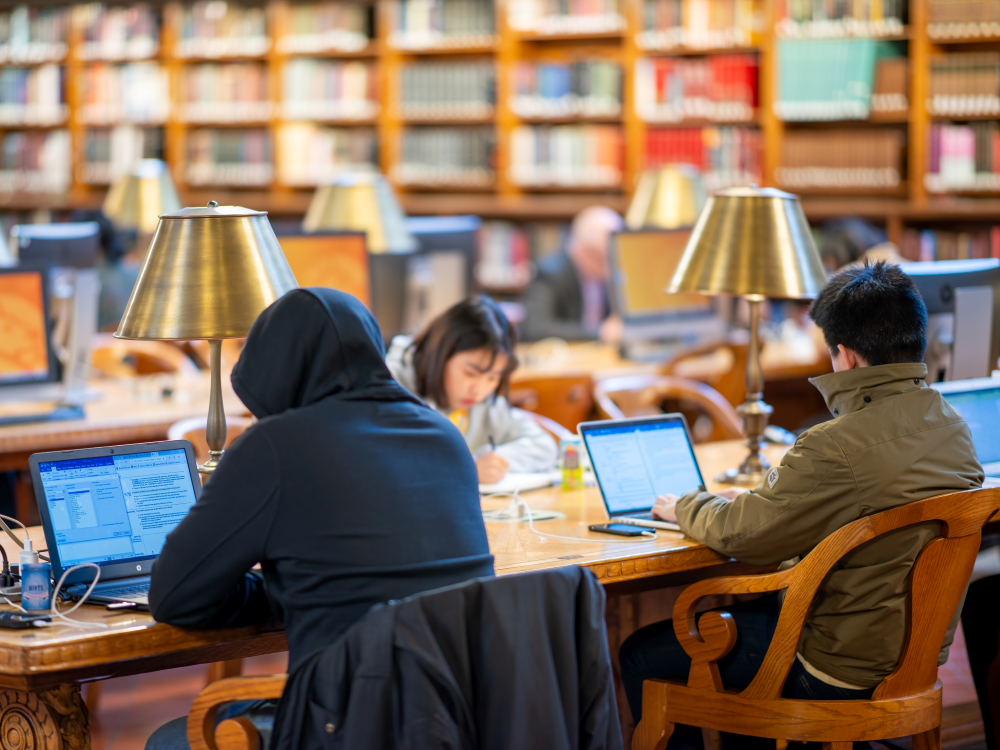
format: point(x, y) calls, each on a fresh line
point(314, 154)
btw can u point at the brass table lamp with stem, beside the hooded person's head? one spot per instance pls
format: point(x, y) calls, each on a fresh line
point(208, 274)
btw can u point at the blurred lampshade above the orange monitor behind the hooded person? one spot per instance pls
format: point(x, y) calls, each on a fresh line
point(361, 201)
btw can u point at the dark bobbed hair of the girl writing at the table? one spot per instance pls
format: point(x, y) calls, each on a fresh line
point(474, 323)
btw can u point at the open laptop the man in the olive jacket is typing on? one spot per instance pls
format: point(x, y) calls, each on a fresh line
point(636, 460)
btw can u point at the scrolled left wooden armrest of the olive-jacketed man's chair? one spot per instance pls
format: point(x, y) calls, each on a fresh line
point(713, 637)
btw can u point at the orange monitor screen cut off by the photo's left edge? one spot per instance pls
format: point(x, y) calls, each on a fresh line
point(25, 354)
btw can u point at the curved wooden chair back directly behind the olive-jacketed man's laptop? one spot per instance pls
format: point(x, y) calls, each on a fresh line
point(640, 395)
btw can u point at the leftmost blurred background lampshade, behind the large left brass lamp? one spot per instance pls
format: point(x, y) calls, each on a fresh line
point(137, 199)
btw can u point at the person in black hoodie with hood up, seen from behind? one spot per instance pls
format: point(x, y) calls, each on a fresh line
point(349, 491)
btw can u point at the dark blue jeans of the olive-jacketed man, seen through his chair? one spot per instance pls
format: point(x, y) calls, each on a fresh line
point(653, 652)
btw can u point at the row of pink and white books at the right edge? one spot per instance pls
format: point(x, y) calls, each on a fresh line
point(963, 157)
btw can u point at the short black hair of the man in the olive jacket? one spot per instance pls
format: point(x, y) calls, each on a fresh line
point(876, 311)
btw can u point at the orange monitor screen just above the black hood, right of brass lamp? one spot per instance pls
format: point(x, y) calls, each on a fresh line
point(338, 260)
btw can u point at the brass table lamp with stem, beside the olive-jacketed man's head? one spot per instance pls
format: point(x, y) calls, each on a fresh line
point(754, 243)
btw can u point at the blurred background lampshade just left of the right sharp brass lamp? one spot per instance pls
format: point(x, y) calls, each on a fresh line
point(667, 197)
